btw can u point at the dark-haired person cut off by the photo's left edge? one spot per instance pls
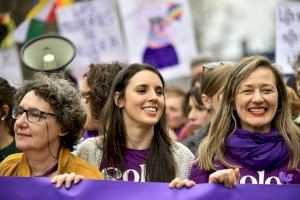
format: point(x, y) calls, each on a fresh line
point(7, 143)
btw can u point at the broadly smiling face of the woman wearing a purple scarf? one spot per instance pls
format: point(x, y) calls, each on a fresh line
point(256, 101)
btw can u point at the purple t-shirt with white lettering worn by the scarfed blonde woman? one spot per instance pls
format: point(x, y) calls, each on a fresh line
point(279, 175)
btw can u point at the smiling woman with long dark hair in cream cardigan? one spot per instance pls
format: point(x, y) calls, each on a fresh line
point(135, 145)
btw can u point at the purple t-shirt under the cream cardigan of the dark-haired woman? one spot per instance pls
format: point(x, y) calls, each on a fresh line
point(135, 167)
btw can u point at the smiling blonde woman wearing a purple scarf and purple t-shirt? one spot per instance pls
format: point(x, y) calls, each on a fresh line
point(253, 131)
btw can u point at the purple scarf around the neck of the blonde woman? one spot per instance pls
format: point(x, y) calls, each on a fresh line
point(256, 150)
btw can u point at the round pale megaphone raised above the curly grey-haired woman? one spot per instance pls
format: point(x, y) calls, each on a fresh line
point(49, 52)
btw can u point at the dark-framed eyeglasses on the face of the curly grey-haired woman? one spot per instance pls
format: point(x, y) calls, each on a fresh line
point(32, 114)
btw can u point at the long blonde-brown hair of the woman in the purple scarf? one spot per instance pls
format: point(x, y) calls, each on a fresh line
point(213, 146)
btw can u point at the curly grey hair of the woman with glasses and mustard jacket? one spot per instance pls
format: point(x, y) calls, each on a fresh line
point(64, 99)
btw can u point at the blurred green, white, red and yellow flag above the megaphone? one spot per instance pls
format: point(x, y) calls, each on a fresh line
point(39, 16)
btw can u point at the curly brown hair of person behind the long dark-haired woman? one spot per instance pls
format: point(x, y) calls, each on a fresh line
point(99, 79)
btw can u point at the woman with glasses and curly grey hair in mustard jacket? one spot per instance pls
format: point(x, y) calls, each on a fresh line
point(48, 117)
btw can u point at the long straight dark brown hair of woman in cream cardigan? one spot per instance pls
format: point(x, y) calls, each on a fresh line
point(160, 163)
